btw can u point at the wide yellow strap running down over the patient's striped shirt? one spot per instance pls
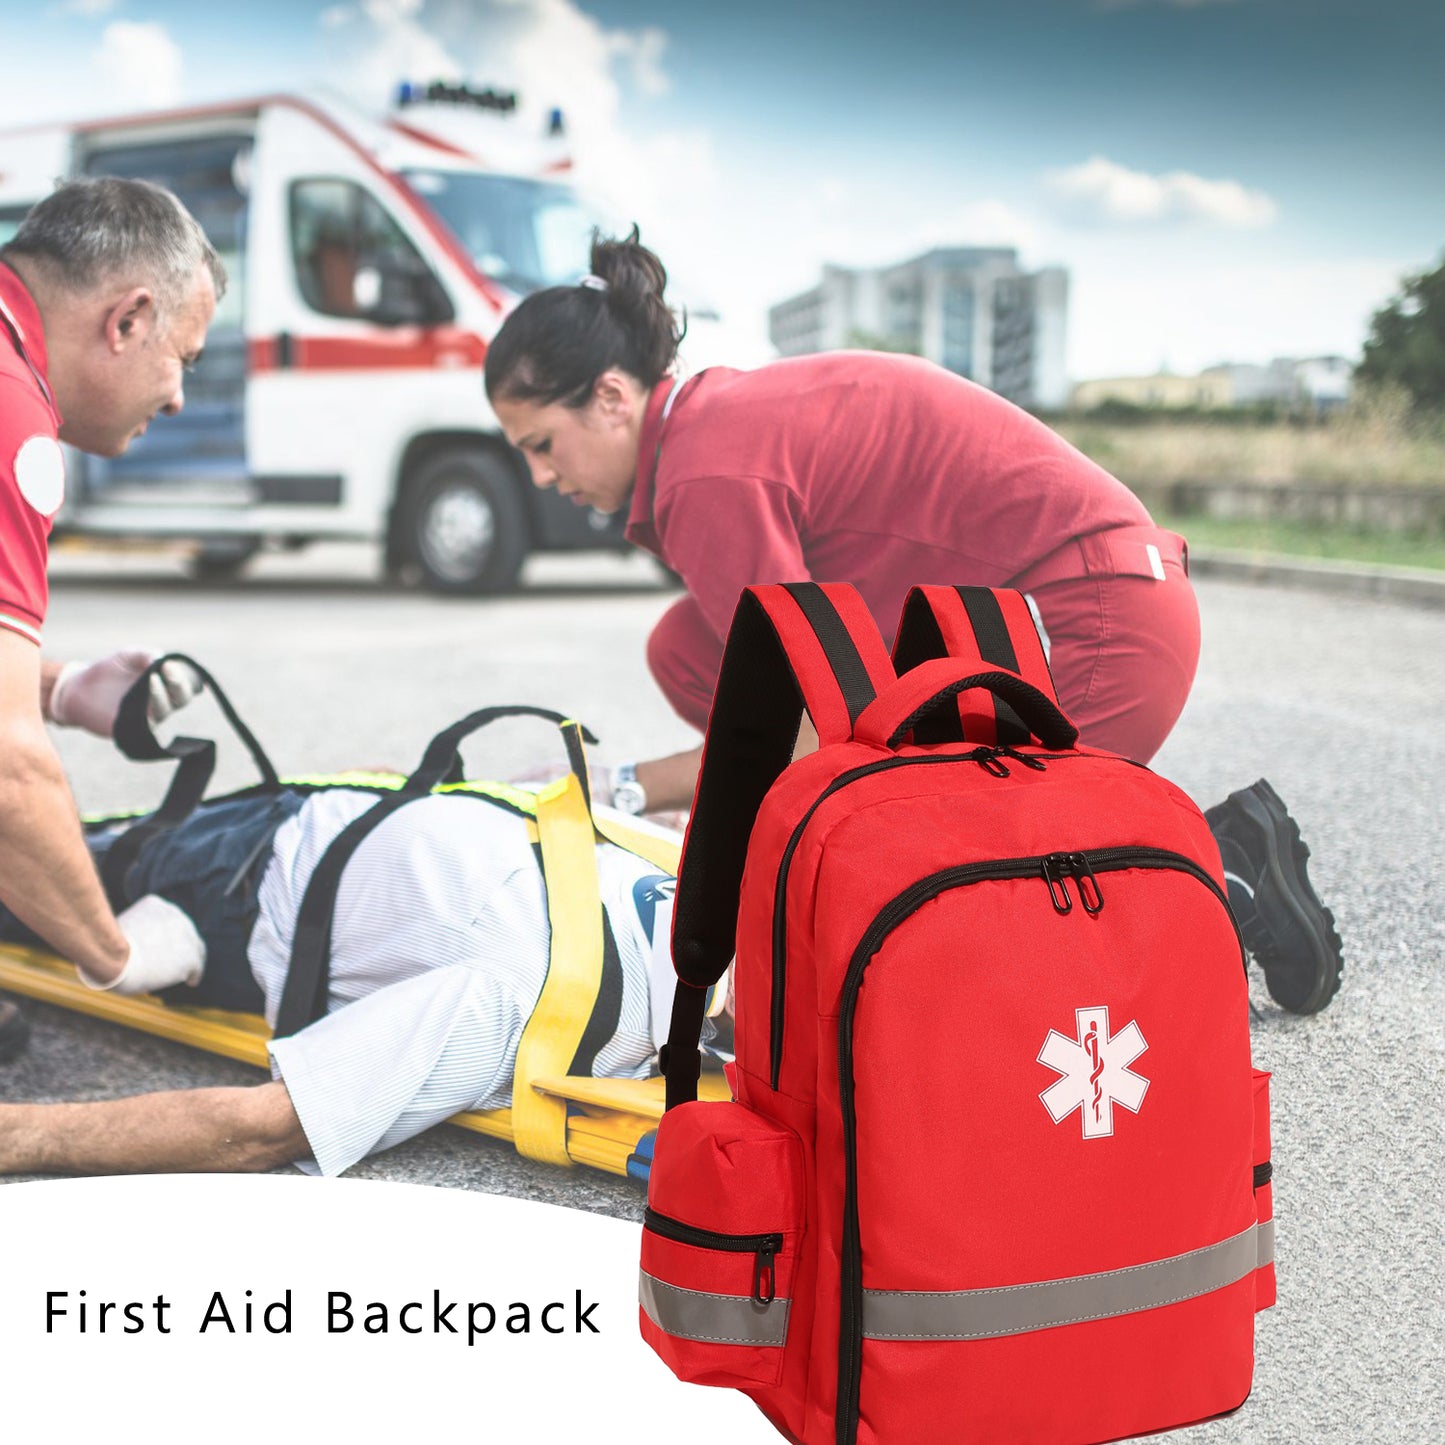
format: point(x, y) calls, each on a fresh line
point(574, 976)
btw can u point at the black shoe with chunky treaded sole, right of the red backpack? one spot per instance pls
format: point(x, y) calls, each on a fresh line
point(1287, 928)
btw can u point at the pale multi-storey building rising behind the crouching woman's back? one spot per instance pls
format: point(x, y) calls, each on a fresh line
point(969, 309)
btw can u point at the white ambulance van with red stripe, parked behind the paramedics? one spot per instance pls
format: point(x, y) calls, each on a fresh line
point(340, 395)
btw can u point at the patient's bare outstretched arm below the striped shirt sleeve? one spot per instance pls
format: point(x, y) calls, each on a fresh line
point(206, 1131)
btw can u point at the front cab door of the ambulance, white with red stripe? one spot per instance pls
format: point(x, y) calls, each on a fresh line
point(352, 339)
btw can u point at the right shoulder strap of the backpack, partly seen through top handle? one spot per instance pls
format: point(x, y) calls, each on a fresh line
point(975, 625)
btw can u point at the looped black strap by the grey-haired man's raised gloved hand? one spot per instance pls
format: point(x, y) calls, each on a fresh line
point(196, 764)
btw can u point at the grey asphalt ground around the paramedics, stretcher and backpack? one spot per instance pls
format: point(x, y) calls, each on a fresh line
point(1336, 700)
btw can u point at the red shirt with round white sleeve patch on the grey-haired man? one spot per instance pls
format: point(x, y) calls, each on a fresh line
point(33, 470)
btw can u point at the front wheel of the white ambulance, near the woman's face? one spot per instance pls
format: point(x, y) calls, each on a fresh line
point(465, 524)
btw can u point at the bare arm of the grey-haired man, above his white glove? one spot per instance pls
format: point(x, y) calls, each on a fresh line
point(47, 876)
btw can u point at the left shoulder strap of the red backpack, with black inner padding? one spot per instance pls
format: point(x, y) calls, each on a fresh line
point(793, 648)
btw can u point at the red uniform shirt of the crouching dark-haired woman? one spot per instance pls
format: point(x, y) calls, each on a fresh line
point(878, 470)
